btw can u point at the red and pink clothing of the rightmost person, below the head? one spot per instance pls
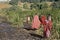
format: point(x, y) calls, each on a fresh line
point(47, 28)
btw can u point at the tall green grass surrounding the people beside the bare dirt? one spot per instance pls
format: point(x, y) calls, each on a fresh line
point(16, 16)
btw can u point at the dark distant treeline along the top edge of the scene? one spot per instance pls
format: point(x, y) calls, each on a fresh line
point(32, 1)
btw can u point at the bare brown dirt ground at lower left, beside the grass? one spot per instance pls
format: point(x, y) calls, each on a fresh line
point(9, 33)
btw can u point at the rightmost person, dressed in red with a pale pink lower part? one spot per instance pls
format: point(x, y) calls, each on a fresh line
point(47, 26)
